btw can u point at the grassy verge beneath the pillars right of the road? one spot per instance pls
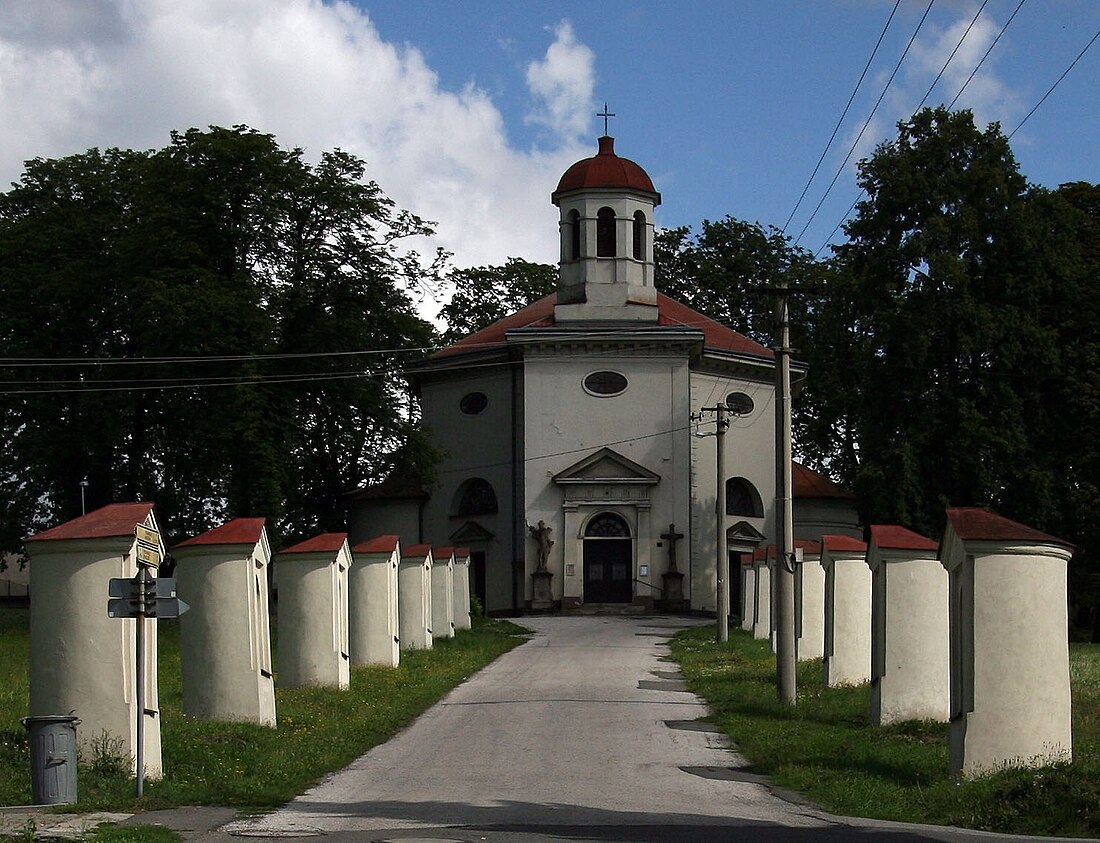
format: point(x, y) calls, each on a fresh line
point(827, 749)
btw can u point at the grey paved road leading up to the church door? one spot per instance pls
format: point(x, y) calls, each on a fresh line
point(584, 733)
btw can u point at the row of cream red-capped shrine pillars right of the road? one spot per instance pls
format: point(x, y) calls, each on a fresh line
point(972, 631)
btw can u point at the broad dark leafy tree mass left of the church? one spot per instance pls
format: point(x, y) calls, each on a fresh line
point(217, 326)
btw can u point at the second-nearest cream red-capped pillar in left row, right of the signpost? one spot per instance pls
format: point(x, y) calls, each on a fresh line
point(225, 637)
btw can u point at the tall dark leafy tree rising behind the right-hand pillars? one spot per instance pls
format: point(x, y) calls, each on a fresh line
point(937, 349)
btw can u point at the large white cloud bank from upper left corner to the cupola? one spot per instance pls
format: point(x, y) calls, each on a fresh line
point(76, 74)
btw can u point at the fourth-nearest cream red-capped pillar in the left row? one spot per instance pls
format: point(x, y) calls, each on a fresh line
point(373, 626)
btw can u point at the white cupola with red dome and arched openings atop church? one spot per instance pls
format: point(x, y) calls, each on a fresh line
point(607, 224)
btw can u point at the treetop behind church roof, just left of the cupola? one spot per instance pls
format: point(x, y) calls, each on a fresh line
point(487, 294)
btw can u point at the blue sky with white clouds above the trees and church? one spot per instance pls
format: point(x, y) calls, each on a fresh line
point(468, 113)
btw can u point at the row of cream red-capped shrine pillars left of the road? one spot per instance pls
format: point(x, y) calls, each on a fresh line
point(338, 606)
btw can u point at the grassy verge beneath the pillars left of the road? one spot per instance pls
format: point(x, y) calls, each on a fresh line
point(241, 765)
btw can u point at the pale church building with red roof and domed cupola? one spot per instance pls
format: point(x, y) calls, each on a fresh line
point(580, 457)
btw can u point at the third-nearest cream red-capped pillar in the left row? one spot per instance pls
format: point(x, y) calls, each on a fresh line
point(313, 614)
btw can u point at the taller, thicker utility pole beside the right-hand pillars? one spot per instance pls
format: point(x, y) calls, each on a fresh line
point(785, 541)
